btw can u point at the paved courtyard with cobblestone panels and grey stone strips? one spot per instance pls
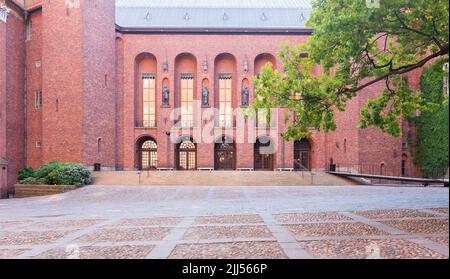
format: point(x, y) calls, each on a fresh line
point(228, 222)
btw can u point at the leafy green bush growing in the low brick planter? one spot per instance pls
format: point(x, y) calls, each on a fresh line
point(56, 173)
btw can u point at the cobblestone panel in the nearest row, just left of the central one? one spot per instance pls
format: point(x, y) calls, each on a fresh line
point(92, 252)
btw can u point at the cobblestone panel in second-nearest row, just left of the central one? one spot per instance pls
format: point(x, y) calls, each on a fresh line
point(122, 235)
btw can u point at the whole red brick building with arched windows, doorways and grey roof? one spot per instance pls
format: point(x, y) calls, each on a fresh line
point(108, 82)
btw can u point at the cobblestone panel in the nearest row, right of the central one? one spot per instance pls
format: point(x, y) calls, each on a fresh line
point(368, 249)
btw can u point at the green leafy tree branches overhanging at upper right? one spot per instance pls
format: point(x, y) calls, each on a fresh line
point(356, 46)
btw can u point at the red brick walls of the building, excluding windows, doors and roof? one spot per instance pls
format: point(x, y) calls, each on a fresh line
point(89, 74)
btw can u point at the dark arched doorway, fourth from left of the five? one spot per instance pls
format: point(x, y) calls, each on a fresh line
point(264, 154)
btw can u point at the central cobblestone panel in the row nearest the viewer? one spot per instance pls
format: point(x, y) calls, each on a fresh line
point(233, 250)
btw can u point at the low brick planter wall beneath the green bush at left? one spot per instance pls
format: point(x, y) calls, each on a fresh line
point(26, 190)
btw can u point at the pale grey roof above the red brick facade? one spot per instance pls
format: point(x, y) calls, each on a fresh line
point(212, 14)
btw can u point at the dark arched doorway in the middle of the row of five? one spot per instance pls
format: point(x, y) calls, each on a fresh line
point(224, 154)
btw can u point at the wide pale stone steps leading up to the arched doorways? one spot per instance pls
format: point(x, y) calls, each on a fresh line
point(218, 178)
